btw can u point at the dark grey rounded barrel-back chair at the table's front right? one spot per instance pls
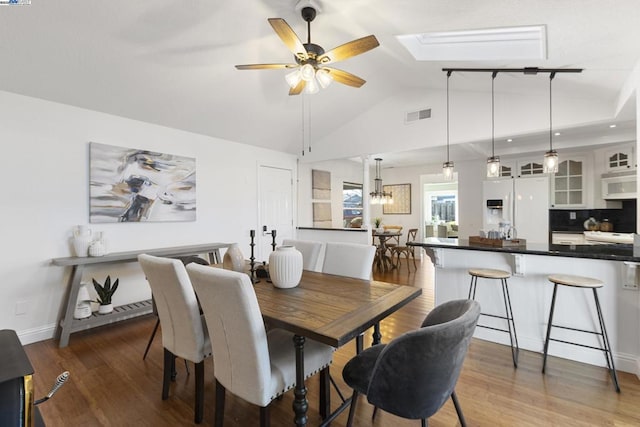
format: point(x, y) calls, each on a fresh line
point(415, 373)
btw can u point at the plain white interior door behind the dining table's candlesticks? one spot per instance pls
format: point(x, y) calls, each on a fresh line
point(275, 192)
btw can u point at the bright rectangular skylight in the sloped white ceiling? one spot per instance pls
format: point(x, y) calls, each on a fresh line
point(507, 43)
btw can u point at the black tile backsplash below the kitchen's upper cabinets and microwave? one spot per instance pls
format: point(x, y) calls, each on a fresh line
point(623, 220)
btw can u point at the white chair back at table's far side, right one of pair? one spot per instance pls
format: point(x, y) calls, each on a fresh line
point(349, 259)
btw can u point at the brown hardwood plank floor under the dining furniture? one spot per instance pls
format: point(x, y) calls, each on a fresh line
point(110, 384)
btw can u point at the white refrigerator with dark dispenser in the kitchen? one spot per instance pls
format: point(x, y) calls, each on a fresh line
point(524, 203)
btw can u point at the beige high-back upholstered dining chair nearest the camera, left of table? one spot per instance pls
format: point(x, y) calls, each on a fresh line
point(253, 364)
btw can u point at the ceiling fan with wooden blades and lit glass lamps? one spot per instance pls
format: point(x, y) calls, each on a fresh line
point(310, 70)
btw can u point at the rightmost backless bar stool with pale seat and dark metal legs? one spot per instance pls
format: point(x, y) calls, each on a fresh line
point(584, 283)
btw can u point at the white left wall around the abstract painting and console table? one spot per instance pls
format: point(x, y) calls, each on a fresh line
point(46, 189)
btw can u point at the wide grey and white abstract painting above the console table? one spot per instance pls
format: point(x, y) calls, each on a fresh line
point(132, 185)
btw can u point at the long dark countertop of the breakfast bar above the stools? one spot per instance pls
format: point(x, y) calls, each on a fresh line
point(613, 252)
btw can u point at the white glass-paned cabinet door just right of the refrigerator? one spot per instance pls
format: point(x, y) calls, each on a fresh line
point(568, 184)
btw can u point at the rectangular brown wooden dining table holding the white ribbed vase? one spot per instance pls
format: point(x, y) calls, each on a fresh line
point(332, 310)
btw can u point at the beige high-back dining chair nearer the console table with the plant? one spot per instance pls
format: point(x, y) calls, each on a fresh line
point(184, 333)
